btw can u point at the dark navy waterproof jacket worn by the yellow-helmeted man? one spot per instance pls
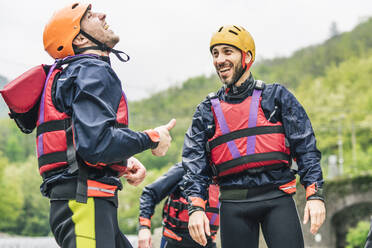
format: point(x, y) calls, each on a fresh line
point(282, 106)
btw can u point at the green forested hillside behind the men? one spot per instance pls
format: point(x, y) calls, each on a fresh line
point(331, 80)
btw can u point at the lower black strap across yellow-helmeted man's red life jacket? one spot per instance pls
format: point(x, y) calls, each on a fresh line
point(251, 159)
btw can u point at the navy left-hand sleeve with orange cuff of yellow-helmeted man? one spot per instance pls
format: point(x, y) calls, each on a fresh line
point(194, 156)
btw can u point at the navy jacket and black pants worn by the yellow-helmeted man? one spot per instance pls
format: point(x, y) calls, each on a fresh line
point(262, 197)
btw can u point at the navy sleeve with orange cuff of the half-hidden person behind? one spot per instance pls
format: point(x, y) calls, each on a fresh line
point(154, 193)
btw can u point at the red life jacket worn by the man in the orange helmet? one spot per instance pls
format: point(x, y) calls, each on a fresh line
point(55, 143)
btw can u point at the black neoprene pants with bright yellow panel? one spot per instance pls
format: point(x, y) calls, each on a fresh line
point(90, 225)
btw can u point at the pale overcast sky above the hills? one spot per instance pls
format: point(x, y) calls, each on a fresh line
point(168, 40)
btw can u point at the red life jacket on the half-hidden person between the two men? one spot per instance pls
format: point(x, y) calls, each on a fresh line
point(176, 217)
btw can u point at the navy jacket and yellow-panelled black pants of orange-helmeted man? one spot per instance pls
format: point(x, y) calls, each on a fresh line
point(90, 93)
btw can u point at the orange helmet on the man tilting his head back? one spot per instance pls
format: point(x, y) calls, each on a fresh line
point(62, 29)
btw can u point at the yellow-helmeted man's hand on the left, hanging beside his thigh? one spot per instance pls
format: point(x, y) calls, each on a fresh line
point(199, 227)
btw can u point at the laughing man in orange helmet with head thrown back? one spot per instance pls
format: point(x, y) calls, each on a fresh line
point(84, 144)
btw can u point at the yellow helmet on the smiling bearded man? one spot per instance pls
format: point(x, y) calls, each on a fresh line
point(235, 36)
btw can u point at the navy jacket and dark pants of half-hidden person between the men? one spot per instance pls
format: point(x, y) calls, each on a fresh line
point(170, 183)
